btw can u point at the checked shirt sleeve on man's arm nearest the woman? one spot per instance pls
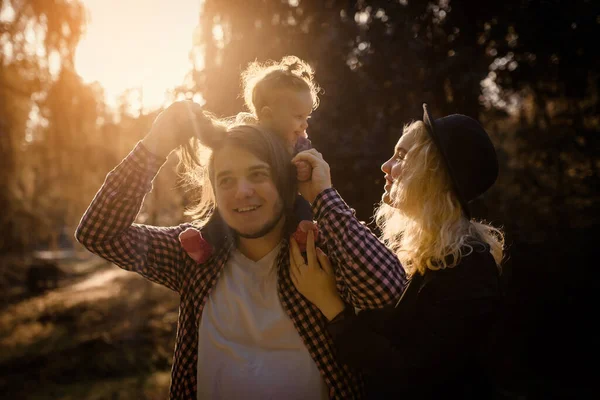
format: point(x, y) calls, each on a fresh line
point(369, 275)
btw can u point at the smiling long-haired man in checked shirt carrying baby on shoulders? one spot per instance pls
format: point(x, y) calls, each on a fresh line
point(244, 331)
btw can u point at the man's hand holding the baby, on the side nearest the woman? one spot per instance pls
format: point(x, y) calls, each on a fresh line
point(320, 178)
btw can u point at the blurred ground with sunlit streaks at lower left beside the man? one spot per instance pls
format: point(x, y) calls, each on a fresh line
point(105, 334)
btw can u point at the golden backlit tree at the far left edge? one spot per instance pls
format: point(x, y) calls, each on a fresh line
point(37, 37)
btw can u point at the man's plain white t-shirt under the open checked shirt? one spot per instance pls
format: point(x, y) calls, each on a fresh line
point(248, 347)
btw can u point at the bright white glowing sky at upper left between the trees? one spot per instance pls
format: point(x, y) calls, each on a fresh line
point(137, 43)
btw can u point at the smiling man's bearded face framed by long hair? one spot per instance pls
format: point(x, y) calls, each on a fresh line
point(245, 193)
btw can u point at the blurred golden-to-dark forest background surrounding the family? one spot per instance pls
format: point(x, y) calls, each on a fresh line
point(81, 83)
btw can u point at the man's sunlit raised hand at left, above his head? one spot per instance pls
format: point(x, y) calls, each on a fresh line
point(173, 127)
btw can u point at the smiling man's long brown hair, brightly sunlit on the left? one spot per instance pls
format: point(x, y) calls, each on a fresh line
point(197, 163)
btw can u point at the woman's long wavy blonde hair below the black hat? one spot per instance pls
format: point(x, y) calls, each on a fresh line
point(425, 225)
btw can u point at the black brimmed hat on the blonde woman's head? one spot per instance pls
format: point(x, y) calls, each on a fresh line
point(468, 152)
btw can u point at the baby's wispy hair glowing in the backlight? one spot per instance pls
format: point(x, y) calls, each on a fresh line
point(262, 81)
